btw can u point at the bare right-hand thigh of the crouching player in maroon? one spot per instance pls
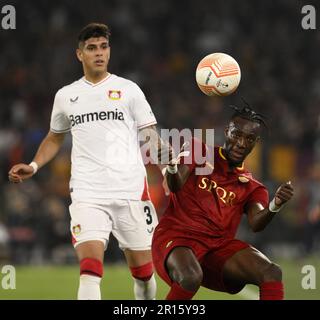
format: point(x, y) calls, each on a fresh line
point(246, 266)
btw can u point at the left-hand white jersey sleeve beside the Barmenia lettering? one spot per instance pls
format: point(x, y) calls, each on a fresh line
point(59, 120)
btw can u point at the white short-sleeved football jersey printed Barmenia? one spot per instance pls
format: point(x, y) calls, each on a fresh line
point(104, 120)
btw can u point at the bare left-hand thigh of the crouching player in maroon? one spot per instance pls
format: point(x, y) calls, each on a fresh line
point(181, 262)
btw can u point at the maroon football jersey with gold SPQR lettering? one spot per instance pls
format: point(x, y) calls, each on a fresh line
point(212, 205)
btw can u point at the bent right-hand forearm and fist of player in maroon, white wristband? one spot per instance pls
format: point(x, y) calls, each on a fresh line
point(259, 217)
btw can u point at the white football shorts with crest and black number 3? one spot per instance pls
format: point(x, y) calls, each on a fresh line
point(132, 222)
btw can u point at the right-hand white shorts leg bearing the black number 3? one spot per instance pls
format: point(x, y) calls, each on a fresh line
point(134, 224)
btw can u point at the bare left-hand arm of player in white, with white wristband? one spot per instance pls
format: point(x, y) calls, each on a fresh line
point(48, 148)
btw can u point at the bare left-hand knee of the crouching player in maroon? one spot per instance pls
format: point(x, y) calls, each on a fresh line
point(189, 278)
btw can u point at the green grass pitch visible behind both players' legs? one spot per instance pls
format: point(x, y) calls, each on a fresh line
point(61, 282)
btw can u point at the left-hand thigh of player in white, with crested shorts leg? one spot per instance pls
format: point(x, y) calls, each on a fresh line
point(90, 227)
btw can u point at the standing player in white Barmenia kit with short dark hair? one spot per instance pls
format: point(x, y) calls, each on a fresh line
point(108, 184)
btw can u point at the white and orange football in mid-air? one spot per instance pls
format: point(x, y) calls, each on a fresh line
point(218, 74)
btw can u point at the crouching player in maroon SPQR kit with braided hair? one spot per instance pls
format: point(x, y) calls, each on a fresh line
point(194, 243)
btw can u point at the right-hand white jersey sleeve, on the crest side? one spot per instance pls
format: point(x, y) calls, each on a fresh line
point(141, 109)
